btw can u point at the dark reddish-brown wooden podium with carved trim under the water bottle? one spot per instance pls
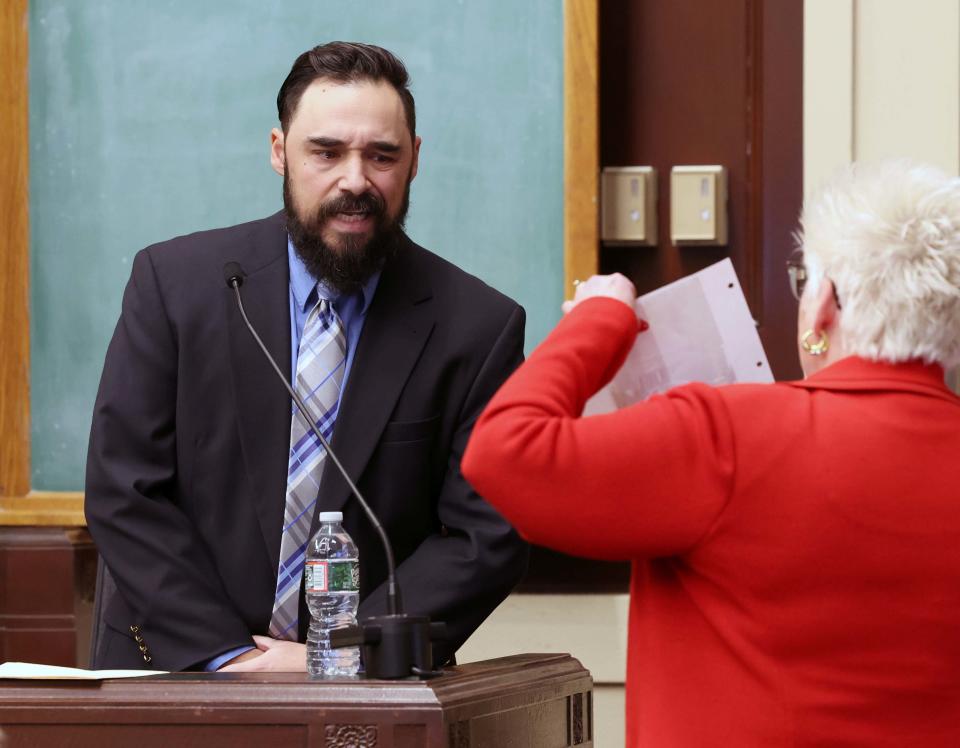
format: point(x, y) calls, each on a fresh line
point(524, 700)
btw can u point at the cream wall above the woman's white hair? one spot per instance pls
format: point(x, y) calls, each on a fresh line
point(881, 79)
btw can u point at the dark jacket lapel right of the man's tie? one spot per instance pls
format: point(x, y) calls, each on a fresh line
point(398, 323)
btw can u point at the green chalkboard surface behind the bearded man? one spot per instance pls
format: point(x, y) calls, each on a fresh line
point(150, 119)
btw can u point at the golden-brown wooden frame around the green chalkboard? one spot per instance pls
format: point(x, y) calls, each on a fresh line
point(19, 505)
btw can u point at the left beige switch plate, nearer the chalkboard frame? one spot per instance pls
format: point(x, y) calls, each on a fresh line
point(628, 213)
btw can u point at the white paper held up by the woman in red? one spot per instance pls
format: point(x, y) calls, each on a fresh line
point(700, 331)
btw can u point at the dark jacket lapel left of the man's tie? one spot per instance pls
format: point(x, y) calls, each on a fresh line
point(262, 404)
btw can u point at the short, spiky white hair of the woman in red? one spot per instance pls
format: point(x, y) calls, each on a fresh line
point(888, 236)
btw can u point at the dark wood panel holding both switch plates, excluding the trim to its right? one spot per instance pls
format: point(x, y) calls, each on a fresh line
point(674, 91)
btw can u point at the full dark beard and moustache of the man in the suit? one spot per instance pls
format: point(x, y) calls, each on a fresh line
point(347, 267)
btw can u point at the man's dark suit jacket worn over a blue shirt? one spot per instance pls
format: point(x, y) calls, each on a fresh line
point(186, 471)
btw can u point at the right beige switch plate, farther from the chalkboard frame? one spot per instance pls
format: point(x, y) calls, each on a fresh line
point(698, 205)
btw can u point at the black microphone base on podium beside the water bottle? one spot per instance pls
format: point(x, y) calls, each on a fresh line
point(393, 646)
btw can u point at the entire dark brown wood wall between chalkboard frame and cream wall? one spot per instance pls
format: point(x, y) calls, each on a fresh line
point(688, 82)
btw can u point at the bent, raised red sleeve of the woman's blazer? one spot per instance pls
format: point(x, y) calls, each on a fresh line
point(648, 480)
